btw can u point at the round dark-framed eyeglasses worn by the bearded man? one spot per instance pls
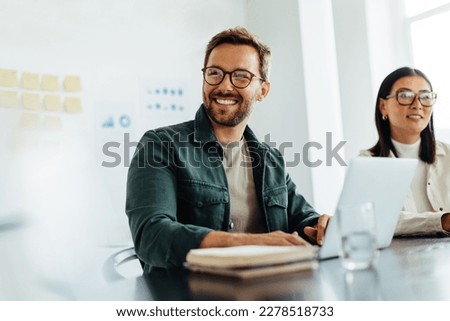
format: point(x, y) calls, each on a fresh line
point(240, 78)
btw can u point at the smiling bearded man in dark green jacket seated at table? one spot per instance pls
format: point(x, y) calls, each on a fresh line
point(209, 182)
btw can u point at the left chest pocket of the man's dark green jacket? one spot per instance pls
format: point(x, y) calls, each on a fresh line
point(202, 203)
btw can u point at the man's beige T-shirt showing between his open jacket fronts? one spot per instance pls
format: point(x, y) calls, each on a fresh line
point(245, 212)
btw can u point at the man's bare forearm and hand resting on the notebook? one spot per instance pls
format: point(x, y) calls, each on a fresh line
point(225, 239)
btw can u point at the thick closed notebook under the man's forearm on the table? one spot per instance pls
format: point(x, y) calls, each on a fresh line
point(251, 261)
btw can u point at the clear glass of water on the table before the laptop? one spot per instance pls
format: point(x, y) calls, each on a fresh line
point(357, 229)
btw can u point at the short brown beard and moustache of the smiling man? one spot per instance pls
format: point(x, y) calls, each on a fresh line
point(233, 119)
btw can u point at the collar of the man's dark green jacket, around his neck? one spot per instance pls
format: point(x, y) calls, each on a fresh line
point(204, 133)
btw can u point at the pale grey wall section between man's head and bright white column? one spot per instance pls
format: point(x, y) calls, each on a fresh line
point(283, 115)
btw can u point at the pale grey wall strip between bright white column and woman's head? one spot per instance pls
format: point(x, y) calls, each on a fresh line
point(355, 71)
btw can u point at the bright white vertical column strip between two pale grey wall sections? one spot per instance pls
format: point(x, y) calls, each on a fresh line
point(323, 102)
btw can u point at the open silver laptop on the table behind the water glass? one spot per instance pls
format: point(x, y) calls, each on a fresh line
point(384, 181)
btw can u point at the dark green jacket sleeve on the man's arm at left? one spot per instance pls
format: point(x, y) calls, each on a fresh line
point(151, 205)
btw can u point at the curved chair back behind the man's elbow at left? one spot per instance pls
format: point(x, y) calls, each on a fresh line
point(114, 266)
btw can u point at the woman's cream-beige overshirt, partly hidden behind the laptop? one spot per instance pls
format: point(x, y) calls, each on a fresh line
point(414, 221)
